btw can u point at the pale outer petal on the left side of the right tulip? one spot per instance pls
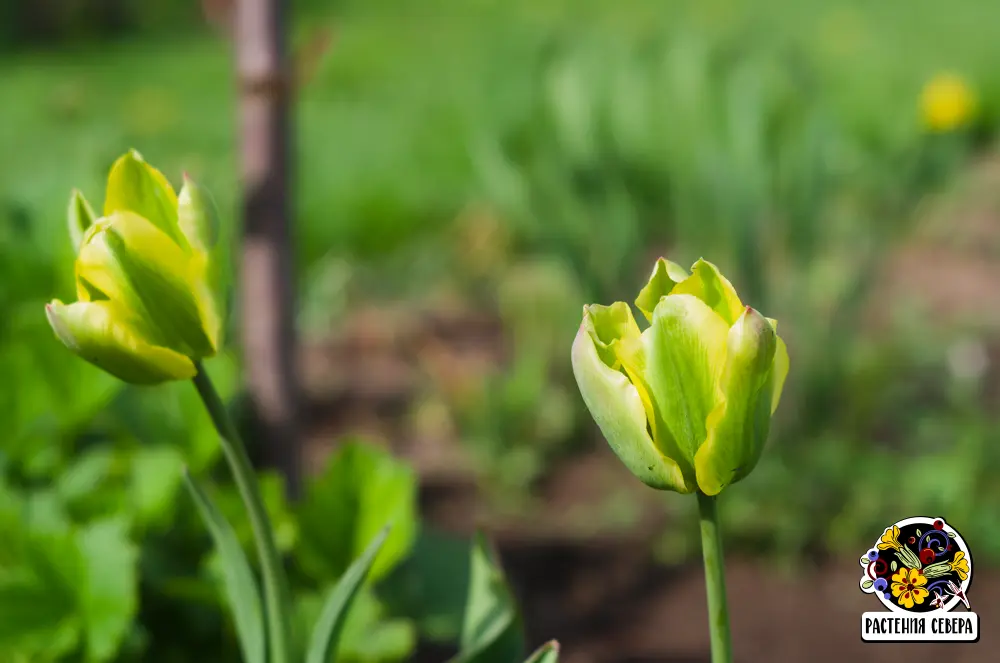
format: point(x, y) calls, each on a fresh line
point(620, 414)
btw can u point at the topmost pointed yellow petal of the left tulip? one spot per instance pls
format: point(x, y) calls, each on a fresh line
point(135, 186)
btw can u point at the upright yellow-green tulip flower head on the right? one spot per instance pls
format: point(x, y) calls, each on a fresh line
point(686, 404)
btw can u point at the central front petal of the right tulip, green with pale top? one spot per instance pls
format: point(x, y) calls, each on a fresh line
point(686, 349)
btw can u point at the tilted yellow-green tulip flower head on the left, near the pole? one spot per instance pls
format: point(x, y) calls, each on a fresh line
point(145, 278)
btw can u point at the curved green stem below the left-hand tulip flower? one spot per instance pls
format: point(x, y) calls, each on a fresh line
point(275, 583)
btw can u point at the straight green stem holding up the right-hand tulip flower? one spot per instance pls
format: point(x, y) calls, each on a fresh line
point(715, 579)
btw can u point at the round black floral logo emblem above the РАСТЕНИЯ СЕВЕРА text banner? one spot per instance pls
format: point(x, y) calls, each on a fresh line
point(918, 565)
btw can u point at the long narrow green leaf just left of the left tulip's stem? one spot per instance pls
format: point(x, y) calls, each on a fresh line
point(238, 578)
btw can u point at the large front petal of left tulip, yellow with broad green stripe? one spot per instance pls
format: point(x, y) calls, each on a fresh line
point(134, 263)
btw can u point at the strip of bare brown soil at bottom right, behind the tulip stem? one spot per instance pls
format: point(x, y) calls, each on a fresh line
point(659, 615)
